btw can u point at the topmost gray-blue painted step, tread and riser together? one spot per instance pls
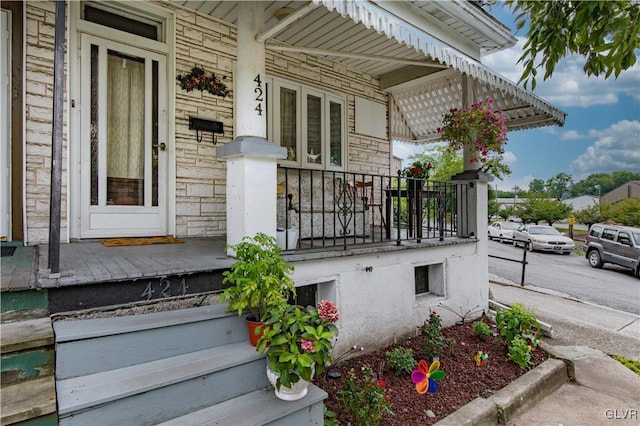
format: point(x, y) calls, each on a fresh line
point(91, 346)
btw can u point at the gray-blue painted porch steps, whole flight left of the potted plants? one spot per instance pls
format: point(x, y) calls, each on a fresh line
point(173, 366)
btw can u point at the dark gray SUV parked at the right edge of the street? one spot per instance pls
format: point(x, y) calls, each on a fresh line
point(619, 245)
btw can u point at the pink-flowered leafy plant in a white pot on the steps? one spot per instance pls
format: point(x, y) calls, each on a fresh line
point(299, 343)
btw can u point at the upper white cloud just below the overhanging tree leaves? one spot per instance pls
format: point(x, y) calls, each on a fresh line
point(569, 86)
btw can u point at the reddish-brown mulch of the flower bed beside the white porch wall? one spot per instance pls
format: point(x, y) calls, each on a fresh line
point(463, 381)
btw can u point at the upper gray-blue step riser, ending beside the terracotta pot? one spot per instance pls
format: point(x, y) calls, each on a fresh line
point(94, 355)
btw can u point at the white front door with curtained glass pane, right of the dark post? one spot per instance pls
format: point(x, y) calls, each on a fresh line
point(123, 137)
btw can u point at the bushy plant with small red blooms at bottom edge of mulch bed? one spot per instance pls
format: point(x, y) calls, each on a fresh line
point(364, 398)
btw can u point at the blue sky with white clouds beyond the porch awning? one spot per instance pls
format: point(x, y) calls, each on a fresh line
point(601, 133)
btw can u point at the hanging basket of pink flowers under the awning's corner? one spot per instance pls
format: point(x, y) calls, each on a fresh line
point(480, 128)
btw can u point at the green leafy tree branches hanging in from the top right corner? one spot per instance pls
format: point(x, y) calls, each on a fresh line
point(604, 32)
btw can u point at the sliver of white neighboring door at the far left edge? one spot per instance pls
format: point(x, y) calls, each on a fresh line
point(5, 128)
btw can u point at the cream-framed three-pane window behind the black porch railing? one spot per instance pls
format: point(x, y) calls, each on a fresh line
point(309, 123)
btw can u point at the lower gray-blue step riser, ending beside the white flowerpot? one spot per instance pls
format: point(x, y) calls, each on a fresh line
point(175, 400)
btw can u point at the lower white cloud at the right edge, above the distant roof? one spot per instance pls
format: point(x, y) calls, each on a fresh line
point(616, 148)
